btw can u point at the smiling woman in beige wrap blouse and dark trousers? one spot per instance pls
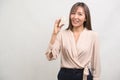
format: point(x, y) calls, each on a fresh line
point(78, 46)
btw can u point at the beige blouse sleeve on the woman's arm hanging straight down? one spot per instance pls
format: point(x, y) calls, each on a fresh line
point(96, 59)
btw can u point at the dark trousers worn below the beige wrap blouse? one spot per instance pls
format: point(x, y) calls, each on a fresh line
point(72, 74)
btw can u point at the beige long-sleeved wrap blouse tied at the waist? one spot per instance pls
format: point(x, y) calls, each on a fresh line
point(83, 54)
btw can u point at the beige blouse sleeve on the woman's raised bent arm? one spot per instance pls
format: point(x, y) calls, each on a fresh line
point(54, 49)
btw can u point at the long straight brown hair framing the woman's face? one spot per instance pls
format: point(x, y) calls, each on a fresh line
point(87, 23)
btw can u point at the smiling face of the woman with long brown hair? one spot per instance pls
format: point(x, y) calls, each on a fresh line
point(78, 17)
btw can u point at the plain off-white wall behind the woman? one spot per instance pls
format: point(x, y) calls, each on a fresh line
point(25, 31)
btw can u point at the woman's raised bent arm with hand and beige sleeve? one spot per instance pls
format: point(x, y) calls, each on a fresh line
point(54, 45)
